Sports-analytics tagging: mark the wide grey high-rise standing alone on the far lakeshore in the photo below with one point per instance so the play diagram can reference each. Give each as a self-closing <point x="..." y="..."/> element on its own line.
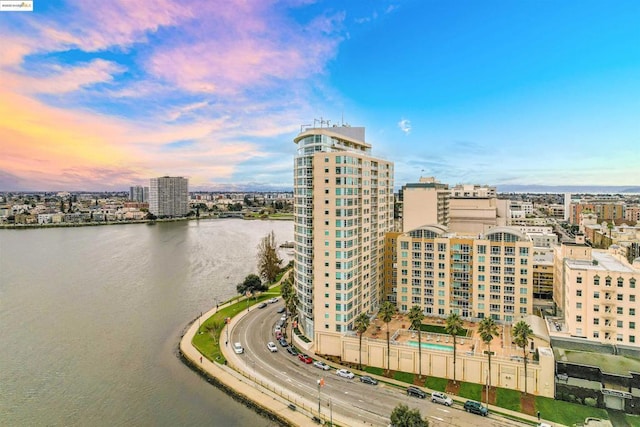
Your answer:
<point x="169" y="196"/>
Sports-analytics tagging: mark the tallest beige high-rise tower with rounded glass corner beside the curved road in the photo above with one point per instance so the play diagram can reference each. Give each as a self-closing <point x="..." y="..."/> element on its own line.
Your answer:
<point x="343" y="206"/>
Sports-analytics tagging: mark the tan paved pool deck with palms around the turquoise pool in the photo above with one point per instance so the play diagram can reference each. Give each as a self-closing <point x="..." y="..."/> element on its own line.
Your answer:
<point x="472" y="344"/>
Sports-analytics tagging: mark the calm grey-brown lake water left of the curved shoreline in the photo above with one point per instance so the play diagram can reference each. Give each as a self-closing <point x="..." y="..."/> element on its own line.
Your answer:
<point x="90" y="318"/>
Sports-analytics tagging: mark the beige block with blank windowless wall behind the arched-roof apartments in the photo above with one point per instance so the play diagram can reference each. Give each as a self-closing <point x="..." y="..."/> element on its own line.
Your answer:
<point x="425" y="202"/>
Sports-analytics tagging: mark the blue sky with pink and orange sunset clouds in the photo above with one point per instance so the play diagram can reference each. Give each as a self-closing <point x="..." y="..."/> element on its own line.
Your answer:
<point x="102" y="95"/>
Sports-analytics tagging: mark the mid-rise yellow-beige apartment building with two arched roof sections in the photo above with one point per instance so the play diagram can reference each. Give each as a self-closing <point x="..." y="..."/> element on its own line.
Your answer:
<point x="475" y="277"/>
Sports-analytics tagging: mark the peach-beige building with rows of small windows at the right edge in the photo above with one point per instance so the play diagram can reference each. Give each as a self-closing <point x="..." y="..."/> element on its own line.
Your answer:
<point x="599" y="294"/>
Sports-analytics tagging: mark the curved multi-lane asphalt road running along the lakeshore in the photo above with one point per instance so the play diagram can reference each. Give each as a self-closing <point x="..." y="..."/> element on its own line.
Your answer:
<point x="370" y="404"/>
